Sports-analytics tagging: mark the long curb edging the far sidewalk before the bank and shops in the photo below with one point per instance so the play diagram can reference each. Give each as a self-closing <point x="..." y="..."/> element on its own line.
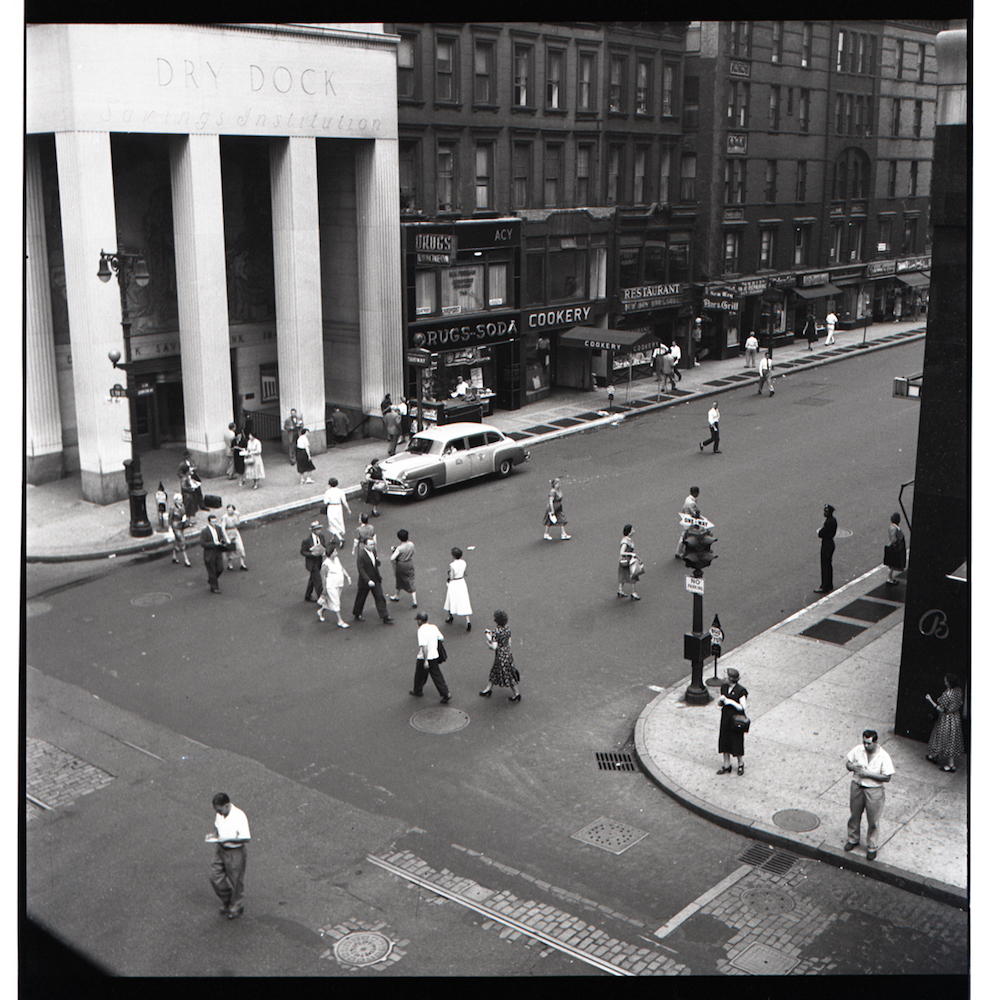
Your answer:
<point x="283" y="510"/>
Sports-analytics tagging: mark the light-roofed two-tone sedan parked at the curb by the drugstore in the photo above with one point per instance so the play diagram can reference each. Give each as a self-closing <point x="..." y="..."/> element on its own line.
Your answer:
<point x="440" y="456"/>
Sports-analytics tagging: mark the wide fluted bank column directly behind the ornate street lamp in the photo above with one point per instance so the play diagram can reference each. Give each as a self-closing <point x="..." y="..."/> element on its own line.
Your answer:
<point x="87" y="210"/>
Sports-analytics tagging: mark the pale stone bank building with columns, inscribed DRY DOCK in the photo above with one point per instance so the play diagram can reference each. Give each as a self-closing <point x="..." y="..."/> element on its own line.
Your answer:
<point x="242" y="183"/>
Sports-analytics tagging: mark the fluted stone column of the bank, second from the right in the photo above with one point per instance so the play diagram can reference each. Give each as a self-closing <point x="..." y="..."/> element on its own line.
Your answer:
<point x="297" y="298"/>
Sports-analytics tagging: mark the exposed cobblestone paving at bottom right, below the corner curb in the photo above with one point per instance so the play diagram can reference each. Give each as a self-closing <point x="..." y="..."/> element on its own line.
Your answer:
<point x="777" y="915"/>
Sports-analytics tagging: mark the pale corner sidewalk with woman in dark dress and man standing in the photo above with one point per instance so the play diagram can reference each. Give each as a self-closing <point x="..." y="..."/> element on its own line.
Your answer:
<point x="815" y="682"/>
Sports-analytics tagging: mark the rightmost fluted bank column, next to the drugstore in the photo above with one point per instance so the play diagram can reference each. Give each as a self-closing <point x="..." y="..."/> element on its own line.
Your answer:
<point x="380" y="293"/>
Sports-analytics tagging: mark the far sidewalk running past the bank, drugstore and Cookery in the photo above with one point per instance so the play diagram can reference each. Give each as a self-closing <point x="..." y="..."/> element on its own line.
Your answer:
<point x="62" y="527"/>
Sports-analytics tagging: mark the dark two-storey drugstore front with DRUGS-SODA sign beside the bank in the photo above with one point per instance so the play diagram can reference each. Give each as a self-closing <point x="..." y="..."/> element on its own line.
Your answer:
<point x="461" y="294"/>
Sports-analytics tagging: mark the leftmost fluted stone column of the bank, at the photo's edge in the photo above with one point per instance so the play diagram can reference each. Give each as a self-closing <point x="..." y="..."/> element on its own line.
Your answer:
<point x="43" y="424"/>
